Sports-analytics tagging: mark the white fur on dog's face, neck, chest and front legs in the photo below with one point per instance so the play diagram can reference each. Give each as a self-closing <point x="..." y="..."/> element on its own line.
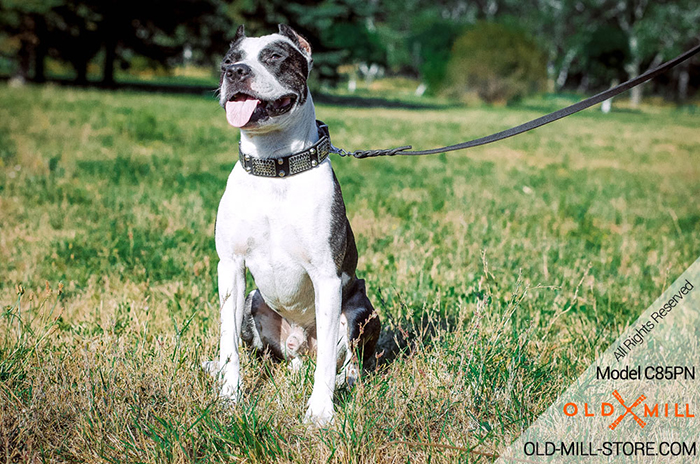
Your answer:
<point x="280" y="229"/>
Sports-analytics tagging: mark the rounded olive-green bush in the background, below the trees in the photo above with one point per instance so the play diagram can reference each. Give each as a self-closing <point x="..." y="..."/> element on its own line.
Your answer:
<point x="498" y="62"/>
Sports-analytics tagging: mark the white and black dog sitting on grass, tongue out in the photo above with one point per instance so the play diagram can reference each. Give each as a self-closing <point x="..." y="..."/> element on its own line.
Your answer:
<point x="283" y="218"/>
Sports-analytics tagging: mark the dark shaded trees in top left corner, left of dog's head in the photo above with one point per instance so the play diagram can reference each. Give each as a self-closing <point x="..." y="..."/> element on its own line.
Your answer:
<point x="76" y="30"/>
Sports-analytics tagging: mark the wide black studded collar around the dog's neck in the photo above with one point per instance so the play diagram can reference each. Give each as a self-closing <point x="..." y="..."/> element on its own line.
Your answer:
<point x="289" y="165"/>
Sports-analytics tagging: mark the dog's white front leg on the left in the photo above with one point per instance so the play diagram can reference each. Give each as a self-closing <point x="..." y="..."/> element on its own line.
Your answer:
<point x="232" y="298"/>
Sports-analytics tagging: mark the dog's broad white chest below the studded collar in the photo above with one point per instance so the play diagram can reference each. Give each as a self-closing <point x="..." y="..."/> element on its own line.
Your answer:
<point x="281" y="229"/>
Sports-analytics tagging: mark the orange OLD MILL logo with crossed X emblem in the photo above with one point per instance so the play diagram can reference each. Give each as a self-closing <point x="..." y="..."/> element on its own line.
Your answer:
<point x="608" y="409"/>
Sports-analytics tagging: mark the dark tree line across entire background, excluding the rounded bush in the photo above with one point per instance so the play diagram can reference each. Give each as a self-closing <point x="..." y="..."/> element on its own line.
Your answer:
<point x="585" y="42"/>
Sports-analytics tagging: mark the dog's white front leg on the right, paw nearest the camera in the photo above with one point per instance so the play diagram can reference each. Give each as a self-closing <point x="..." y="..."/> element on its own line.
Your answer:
<point x="328" y="306"/>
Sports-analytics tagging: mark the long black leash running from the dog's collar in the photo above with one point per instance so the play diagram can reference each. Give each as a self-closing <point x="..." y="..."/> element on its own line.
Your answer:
<point x="535" y="123"/>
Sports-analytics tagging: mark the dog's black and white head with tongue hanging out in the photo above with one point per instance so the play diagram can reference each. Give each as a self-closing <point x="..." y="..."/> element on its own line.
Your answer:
<point x="263" y="79"/>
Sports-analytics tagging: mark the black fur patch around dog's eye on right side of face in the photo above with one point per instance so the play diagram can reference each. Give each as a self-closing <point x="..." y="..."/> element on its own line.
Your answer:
<point x="288" y="66"/>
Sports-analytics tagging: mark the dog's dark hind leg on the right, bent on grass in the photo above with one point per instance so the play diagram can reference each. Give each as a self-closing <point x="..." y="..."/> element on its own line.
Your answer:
<point x="359" y="332"/>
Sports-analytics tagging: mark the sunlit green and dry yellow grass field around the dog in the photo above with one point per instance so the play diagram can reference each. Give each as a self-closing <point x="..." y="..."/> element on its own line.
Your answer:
<point x="499" y="274"/>
